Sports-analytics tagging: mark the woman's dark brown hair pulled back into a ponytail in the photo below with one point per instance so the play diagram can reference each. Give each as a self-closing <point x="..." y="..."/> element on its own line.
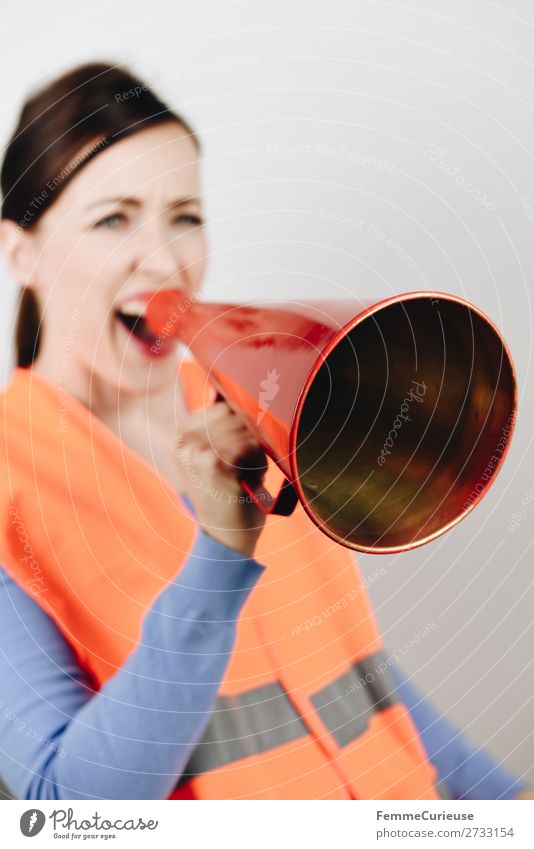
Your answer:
<point x="60" y="128"/>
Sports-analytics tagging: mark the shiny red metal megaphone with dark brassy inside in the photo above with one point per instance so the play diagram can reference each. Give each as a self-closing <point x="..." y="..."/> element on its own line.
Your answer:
<point x="389" y="420"/>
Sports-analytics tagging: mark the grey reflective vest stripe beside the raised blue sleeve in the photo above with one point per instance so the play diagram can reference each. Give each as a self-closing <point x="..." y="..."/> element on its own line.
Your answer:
<point x="245" y="724"/>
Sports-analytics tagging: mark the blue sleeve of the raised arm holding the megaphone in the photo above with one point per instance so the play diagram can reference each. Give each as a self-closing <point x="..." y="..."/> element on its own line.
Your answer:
<point x="131" y="739"/>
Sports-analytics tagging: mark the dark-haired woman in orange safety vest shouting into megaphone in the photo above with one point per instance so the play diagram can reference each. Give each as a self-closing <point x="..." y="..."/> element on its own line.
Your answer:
<point x="160" y="638"/>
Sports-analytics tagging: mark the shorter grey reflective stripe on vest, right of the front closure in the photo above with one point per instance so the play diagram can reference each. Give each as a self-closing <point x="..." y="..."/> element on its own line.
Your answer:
<point x="346" y="704"/>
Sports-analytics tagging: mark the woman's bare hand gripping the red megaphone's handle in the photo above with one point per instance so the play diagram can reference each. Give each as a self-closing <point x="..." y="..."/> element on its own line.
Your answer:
<point x="213" y="448"/>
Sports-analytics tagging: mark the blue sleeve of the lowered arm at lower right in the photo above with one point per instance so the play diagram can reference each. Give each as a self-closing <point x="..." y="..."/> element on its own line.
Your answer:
<point x="467" y="772"/>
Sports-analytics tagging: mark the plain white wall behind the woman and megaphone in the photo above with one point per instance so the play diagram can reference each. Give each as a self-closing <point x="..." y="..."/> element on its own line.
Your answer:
<point x="408" y="121"/>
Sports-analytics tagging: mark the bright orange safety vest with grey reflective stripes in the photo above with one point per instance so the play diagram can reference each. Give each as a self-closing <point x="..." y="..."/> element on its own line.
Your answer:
<point x="306" y="708"/>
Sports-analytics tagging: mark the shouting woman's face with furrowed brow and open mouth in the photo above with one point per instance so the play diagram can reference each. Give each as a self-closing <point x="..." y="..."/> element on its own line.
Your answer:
<point x="127" y="225"/>
